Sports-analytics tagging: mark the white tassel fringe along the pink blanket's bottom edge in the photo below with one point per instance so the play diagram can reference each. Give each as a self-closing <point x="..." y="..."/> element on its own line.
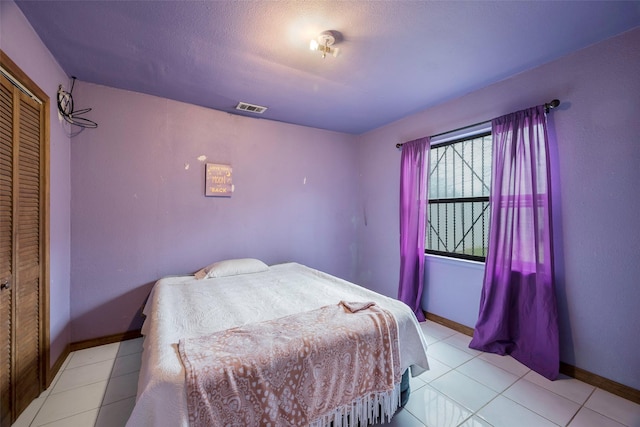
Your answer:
<point x="363" y="411"/>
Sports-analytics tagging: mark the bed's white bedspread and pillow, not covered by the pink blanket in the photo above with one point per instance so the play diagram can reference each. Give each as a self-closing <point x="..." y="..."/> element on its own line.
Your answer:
<point x="242" y="294"/>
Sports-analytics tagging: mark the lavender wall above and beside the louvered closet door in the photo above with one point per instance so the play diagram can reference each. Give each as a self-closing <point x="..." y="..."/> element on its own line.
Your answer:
<point x="20" y="42"/>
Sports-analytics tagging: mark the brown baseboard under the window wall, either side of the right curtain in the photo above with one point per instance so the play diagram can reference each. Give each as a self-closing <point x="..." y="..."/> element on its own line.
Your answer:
<point x="595" y="380"/>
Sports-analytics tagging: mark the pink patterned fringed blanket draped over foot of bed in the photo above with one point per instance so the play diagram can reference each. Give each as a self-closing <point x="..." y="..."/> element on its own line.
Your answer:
<point x="333" y="364"/>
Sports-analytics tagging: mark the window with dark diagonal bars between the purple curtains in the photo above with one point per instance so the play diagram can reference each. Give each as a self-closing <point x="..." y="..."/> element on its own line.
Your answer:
<point x="459" y="186"/>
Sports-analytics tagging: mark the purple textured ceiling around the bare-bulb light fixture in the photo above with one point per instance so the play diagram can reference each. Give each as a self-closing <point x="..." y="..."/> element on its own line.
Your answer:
<point x="396" y="57"/>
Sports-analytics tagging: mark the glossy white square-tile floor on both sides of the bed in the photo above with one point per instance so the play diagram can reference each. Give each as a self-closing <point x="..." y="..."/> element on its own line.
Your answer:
<point x="464" y="387"/>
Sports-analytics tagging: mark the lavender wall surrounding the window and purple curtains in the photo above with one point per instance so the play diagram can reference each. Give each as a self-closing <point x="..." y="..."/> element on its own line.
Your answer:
<point x="597" y="202"/>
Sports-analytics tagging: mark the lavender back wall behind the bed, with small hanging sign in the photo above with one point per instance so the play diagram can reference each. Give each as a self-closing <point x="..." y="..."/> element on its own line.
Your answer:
<point x="139" y="210"/>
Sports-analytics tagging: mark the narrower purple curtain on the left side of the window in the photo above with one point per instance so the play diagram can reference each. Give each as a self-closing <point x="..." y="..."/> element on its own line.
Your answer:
<point x="414" y="173"/>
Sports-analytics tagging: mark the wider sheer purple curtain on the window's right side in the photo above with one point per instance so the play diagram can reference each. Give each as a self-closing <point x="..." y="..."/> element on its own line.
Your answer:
<point x="518" y="311"/>
